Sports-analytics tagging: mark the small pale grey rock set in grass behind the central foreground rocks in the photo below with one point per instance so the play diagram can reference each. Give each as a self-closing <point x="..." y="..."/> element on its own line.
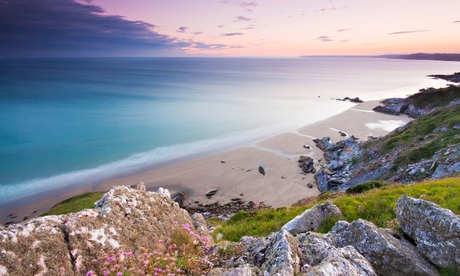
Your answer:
<point x="311" y="219"/>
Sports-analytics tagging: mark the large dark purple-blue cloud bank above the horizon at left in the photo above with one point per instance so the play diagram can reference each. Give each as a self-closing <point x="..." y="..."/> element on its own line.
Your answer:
<point x="69" y="28"/>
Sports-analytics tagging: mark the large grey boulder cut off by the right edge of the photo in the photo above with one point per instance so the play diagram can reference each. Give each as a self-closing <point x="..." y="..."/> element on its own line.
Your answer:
<point x="436" y="231"/>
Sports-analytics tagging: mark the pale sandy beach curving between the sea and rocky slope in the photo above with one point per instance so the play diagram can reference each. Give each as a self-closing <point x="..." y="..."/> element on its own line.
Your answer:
<point x="235" y="173"/>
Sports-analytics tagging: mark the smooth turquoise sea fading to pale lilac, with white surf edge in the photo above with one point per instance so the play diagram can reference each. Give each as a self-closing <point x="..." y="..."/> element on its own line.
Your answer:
<point x="71" y="122"/>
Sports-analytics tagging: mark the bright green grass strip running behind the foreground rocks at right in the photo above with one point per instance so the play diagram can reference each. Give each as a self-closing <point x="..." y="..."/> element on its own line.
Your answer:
<point x="375" y="205"/>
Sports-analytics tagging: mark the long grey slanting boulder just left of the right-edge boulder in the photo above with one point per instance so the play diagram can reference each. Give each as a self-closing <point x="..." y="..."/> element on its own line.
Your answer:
<point x="387" y="254"/>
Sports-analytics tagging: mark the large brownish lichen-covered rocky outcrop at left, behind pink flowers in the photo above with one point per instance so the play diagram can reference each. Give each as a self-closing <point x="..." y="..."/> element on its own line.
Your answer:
<point x="65" y="245"/>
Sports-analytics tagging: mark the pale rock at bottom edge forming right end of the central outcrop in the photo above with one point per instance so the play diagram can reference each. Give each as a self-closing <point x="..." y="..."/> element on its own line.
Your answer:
<point x="320" y="257"/>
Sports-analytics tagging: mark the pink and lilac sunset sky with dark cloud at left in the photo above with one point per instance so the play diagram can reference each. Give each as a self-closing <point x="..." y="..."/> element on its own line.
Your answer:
<point x="268" y="28"/>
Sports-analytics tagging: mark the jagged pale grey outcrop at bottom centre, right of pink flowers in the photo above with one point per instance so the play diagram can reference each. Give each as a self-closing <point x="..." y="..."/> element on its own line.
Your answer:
<point x="304" y="254"/>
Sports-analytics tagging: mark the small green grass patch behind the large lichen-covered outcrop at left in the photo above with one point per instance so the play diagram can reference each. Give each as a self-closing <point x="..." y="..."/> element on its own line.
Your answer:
<point x="75" y="204"/>
